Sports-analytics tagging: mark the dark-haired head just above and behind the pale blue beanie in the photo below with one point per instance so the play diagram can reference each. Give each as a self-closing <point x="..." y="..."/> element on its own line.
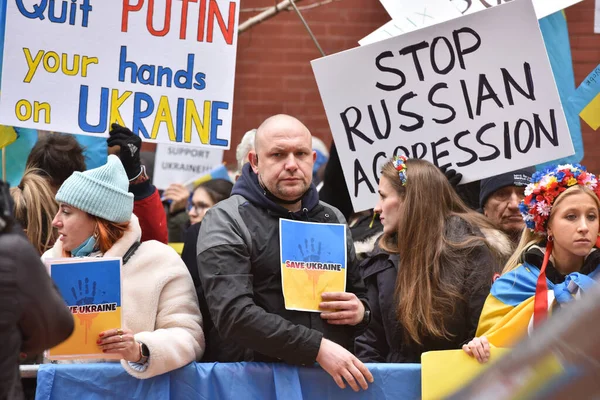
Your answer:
<point x="58" y="156"/>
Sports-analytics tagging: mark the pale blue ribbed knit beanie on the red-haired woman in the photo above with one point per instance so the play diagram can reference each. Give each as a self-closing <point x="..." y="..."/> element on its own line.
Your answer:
<point x="102" y="192"/>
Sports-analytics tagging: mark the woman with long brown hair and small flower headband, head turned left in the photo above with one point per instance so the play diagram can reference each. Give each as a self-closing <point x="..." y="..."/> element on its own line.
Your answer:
<point x="432" y="272"/>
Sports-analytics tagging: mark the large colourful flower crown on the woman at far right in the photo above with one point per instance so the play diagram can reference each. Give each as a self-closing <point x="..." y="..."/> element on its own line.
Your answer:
<point x="546" y="186"/>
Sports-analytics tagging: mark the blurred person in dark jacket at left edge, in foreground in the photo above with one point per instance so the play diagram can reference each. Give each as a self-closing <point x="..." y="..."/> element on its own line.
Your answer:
<point x="33" y="314"/>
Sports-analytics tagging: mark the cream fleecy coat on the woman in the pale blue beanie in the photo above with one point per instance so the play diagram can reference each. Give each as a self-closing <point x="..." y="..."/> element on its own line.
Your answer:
<point x="159" y="303"/>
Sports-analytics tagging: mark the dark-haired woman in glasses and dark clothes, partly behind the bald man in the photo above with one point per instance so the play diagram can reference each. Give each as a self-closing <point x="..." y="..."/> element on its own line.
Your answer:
<point x="206" y="195"/>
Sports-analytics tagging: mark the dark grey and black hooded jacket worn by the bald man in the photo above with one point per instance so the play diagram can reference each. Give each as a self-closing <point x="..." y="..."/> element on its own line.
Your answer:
<point x="240" y="271"/>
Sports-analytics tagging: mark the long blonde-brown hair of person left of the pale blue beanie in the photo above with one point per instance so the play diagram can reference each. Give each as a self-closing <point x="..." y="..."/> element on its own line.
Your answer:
<point x="34" y="209"/>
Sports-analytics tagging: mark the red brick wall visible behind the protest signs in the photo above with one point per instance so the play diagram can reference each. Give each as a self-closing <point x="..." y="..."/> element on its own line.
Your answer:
<point x="273" y="63"/>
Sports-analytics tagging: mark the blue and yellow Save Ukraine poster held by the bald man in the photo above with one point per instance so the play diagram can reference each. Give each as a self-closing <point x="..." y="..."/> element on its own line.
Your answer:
<point x="313" y="261"/>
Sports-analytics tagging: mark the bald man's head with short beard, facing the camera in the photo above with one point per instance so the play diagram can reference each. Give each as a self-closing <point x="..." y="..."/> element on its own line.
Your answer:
<point x="283" y="157"/>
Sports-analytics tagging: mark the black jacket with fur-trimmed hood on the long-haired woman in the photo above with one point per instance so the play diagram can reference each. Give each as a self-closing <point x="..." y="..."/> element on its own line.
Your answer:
<point x="383" y="340"/>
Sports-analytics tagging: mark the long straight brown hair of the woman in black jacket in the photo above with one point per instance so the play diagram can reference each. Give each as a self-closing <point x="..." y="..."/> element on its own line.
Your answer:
<point x="432" y="265"/>
